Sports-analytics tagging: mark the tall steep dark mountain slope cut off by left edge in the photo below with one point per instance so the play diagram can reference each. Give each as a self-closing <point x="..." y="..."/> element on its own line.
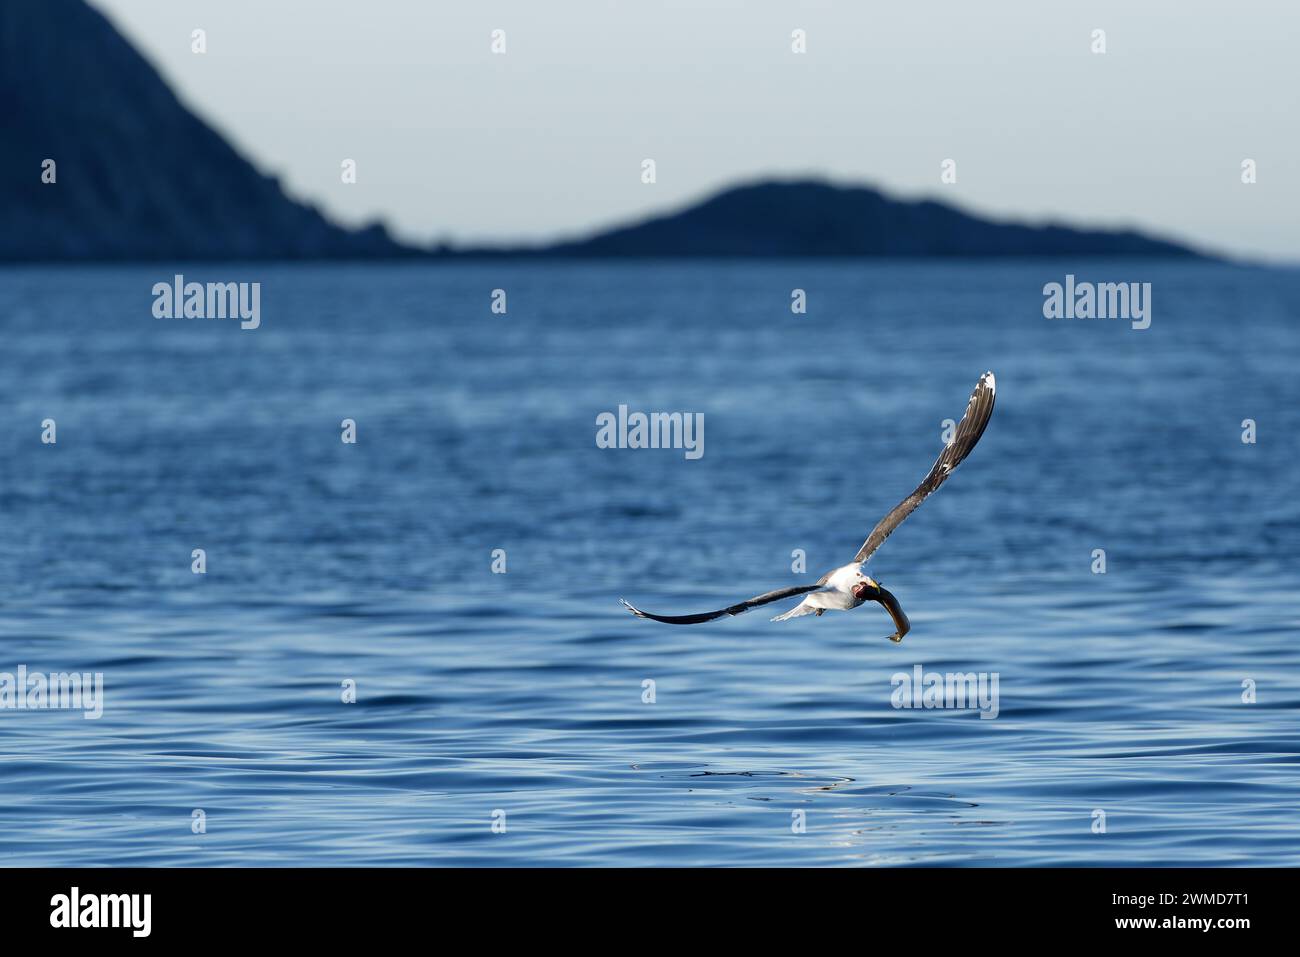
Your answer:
<point x="138" y="176"/>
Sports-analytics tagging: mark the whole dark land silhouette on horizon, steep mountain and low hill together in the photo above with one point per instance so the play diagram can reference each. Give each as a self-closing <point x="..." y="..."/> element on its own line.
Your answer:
<point x="138" y="177"/>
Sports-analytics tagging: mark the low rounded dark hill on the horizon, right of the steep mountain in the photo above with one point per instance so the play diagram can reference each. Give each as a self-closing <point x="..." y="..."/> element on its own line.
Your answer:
<point x="818" y="219"/>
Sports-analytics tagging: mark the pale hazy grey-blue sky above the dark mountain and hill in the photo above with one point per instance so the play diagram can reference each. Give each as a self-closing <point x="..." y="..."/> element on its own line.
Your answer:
<point x="548" y="140"/>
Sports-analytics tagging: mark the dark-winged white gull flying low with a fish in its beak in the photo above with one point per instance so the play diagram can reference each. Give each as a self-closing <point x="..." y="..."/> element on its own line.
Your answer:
<point x="846" y="588"/>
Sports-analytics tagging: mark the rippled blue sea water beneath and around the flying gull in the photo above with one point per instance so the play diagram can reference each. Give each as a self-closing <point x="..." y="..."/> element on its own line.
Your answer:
<point x="522" y="694"/>
